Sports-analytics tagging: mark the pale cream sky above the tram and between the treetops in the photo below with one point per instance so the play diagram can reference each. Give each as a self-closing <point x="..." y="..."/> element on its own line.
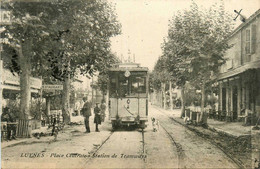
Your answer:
<point x="145" y="24"/>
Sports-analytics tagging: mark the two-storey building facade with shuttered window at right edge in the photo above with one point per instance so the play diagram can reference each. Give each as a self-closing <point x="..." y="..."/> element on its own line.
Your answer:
<point x="239" y="78"/>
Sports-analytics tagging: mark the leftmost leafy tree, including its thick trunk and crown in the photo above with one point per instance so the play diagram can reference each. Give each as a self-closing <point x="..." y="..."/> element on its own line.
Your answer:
<point x="24" y="35"/>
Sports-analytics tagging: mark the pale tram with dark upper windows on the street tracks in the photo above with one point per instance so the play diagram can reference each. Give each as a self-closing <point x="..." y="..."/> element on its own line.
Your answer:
<point x="128" y="95"/>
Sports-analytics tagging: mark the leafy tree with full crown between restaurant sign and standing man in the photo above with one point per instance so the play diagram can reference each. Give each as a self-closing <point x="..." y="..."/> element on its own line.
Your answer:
<point x="85" y="41"/>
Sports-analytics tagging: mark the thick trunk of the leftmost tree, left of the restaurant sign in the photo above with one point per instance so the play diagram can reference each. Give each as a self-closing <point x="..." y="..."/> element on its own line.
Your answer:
<point x="25" y="86"/>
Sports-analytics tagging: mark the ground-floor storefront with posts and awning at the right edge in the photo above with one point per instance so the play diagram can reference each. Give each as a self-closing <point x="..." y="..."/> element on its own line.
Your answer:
<point x="239" y="91"/>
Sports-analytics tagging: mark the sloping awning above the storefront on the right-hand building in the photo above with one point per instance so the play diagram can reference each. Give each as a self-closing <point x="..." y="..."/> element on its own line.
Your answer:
<point x="238" y="70"/>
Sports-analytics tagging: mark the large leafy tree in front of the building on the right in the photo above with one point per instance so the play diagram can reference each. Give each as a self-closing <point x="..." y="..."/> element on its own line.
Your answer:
<point x="196" y="44"/>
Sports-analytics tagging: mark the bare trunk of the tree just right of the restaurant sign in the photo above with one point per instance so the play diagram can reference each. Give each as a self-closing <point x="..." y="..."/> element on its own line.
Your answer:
<point x="66" y="100"/>
